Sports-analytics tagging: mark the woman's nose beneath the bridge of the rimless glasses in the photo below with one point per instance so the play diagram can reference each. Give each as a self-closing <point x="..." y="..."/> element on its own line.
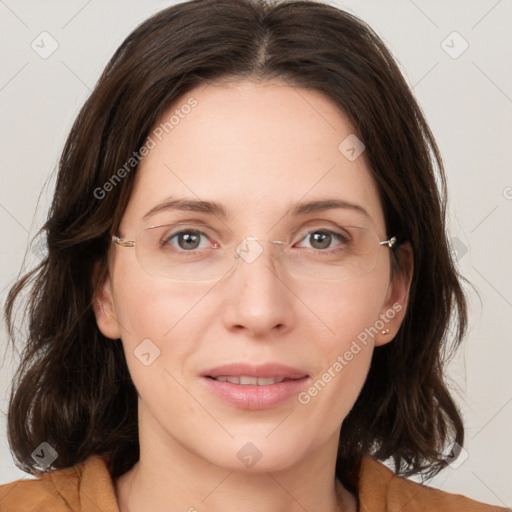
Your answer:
<point x="259" y="300"/>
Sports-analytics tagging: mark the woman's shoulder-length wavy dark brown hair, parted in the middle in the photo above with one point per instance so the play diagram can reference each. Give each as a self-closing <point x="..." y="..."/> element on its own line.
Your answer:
<point x="73" y="389"/>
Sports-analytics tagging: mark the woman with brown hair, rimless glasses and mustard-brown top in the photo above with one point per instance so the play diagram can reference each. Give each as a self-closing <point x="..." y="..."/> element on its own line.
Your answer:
<point x="248" y="285"/>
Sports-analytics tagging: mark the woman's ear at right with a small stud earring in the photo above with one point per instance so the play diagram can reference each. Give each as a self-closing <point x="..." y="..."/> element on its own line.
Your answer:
<point x="397" y="297"/>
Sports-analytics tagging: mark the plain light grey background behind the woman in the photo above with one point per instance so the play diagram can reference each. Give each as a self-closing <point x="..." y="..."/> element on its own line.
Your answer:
<point x="467" y="101"/>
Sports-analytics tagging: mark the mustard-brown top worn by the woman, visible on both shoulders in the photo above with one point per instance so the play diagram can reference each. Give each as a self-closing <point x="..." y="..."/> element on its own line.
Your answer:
<point x="88" y="487"/>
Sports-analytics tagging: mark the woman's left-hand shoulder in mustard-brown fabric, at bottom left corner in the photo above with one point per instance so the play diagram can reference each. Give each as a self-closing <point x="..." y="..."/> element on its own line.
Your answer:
<point x="64" y="490"/>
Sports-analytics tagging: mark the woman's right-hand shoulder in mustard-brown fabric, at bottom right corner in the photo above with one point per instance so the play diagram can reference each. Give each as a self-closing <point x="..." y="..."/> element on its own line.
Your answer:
<point x="380" y="489"/>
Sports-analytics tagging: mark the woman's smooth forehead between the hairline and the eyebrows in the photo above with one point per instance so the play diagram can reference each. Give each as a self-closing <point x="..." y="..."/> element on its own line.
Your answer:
<point x="255" y="148"/>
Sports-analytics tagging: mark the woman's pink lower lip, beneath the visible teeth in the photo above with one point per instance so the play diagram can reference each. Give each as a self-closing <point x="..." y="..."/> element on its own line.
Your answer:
<point x="251" y="397"/>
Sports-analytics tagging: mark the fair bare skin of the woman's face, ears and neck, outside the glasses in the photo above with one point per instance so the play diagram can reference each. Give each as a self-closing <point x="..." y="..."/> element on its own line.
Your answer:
<point x="256" y="148"/>
